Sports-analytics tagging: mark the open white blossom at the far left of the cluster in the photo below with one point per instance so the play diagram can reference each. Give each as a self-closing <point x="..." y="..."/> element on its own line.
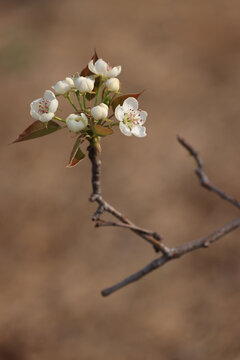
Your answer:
<point x="44" y="109"/>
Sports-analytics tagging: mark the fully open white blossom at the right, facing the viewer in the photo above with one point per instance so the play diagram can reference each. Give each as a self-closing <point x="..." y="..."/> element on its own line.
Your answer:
<point x="131" y="118"/>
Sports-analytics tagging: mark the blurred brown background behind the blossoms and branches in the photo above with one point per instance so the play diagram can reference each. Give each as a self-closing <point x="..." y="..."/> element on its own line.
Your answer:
<point x="53" y="263"/>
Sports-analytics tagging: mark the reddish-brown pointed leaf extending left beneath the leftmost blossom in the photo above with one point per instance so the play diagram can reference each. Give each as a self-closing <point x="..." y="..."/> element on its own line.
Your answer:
<point x="37" y="129"/>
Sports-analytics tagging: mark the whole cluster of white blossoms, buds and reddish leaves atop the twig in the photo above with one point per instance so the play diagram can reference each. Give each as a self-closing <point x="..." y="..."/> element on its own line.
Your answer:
<point x="92" y="93"/>
